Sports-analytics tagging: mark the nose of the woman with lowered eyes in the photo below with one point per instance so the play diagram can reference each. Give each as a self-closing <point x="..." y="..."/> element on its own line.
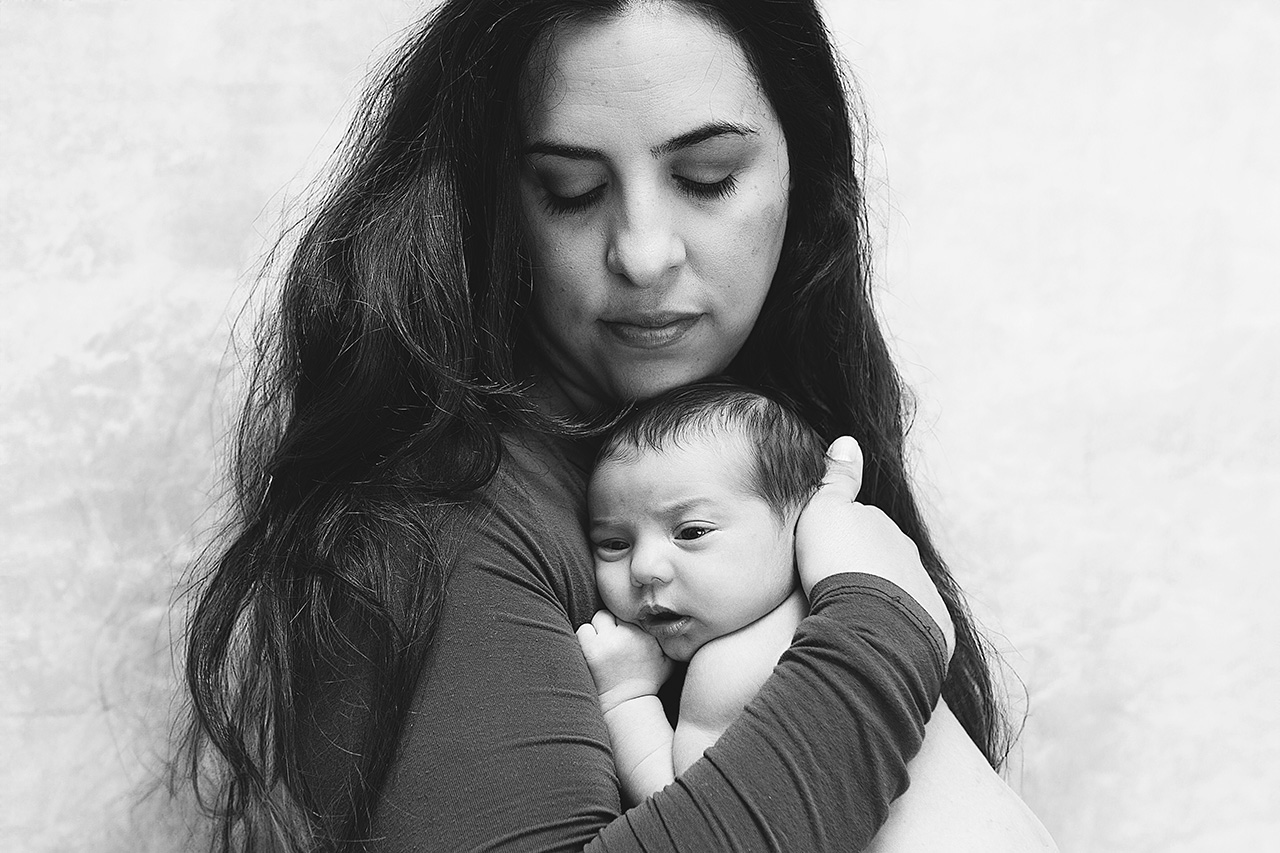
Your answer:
<point x="644" y="245"/>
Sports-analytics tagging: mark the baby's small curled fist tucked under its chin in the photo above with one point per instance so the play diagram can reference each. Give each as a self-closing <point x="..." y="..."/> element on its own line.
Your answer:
<point x="625" y="662"/>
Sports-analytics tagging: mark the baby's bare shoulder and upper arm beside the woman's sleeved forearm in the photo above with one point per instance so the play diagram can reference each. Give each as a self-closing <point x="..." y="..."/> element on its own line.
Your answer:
<point x="728" y="673"/>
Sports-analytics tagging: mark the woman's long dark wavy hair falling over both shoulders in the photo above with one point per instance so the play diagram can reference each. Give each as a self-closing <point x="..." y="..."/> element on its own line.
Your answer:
<point x="388" y="372"/>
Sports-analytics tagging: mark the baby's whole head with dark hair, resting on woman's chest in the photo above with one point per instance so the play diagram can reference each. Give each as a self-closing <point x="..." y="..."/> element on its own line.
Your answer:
<point x="693" y="509"/>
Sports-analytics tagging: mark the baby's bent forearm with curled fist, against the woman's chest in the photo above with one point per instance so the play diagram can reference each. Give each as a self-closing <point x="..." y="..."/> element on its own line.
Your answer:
<point x="628" y="668"/>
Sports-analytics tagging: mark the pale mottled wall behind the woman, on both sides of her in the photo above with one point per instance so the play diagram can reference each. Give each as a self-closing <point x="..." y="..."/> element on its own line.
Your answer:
<point x="1076" y="209"/>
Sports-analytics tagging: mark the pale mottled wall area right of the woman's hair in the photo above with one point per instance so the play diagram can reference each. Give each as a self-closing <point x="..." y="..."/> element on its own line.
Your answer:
<point x="1082" y="277"/>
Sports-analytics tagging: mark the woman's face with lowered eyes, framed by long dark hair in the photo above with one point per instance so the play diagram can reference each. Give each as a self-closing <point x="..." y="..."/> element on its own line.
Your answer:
<point x="655" y="194"/>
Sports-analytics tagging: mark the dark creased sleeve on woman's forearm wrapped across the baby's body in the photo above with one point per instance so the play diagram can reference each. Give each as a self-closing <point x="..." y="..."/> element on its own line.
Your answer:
<point x="819" y="756"/>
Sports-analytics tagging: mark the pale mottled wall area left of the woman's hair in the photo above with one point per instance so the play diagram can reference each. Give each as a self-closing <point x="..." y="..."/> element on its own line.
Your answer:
<point x="147" y="150"/>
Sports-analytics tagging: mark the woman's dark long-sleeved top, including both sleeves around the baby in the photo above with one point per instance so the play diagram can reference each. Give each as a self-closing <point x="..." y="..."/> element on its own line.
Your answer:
<point x="506" y="749"/>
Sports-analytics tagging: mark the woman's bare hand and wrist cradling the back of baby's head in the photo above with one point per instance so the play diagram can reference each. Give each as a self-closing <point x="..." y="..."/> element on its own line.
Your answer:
<point x="836" y="533"/>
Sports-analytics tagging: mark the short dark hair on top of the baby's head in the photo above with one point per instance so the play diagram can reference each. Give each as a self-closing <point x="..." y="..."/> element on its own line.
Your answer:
<point x="790" y="457"/>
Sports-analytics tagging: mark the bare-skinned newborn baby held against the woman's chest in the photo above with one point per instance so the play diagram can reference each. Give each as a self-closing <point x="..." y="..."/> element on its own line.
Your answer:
<point x="693" y="508"/>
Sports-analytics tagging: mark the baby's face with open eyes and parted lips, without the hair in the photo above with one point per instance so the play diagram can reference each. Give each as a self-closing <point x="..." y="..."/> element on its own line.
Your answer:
<point x="683" y="548"/>
